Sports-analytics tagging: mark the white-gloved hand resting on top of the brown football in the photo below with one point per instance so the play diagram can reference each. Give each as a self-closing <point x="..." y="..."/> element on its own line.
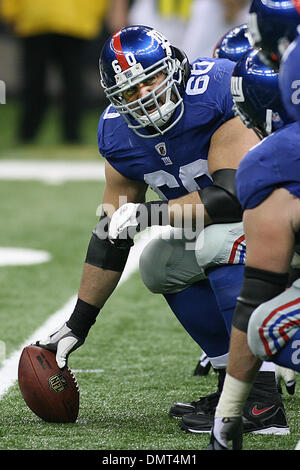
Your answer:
<point x="63" y="342"/>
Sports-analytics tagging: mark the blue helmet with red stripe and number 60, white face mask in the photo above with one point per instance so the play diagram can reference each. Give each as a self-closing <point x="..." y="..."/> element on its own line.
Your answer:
<point x="131" y="56"/>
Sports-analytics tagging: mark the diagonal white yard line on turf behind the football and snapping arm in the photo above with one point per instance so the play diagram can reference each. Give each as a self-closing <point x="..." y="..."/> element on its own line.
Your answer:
<point x="9" y="369"/>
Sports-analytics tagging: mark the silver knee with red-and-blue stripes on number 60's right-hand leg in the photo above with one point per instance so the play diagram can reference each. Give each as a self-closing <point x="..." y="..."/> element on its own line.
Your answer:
<point x="221" y="244"/>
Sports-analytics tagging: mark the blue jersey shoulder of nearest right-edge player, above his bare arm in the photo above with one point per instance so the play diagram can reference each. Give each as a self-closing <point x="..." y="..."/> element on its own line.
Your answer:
<point x="274" y="162"/>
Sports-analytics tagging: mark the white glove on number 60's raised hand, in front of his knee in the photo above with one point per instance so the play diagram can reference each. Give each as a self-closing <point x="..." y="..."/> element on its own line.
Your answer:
<point x="122" y="221"/>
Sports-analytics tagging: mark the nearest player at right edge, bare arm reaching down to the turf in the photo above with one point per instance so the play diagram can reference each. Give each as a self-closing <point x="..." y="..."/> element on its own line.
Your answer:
<point x="268" y="185"/>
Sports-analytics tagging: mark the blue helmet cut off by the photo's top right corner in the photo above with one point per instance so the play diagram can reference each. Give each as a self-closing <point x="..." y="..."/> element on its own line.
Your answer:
<point x="272" y="26"/>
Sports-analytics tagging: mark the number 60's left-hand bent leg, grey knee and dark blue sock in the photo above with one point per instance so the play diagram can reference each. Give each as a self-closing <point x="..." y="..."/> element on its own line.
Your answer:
<point x="167" y="268"/>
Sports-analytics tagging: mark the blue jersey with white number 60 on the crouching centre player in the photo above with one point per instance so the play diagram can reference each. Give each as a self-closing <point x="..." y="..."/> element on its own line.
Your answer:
<point x="176" y="163"/>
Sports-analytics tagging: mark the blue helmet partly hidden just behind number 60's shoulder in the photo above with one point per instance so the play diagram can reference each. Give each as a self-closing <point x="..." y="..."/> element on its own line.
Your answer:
<point x="234" y="44"/>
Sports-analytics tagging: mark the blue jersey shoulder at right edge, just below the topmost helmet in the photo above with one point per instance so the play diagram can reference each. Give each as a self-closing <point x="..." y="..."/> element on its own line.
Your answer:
<point x="289" y="79"/>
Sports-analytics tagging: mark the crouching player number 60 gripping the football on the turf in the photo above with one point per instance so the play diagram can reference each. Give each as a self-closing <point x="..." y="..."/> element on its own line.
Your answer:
<point x="170" y="126"/>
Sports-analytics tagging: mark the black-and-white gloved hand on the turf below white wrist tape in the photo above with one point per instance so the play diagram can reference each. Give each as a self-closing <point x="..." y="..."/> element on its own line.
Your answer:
<point x="225" y="430"/>
